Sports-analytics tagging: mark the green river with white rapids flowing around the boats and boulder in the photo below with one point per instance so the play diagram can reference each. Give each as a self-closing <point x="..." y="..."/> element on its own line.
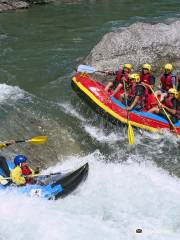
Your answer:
<point x="128" y="187"/>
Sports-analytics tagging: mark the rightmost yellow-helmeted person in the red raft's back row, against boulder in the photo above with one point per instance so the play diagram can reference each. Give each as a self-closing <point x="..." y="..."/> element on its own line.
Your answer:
<point x="167" y="81"/>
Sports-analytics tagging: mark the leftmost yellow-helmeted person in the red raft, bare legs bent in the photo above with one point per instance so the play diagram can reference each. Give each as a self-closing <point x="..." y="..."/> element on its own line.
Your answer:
<point x="121" y="75"/>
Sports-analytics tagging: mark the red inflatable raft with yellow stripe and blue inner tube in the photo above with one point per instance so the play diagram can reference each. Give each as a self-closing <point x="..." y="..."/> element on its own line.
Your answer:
<point x="109" y="107"/>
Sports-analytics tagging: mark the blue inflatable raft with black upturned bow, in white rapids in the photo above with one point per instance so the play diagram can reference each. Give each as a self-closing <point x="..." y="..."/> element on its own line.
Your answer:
<point x="52" y="186"/>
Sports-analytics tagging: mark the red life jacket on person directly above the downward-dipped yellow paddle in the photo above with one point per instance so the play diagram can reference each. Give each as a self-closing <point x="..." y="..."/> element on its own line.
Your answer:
<point x="143" y="100"/>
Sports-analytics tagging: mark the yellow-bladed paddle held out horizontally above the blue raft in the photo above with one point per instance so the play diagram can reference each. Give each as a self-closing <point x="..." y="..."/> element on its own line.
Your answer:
<point x="34" y="140"/>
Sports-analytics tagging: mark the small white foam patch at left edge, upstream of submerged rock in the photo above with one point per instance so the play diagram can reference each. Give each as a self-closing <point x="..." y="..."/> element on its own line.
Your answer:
<point x="10" y="93"/>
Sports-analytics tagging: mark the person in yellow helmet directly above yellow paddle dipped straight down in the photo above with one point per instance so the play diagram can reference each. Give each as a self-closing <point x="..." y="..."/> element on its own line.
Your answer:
<point x="137" y="98"/>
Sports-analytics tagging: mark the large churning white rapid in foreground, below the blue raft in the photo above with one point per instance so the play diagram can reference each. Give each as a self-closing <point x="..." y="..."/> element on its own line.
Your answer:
<point x="112" y="203"/>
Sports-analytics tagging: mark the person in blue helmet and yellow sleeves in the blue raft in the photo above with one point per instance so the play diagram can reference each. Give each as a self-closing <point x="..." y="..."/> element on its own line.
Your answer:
<point x="21" y="174"/>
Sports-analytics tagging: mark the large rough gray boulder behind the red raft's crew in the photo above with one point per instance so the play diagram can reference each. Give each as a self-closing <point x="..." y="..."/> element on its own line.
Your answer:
<point x="140" y="43"/>
